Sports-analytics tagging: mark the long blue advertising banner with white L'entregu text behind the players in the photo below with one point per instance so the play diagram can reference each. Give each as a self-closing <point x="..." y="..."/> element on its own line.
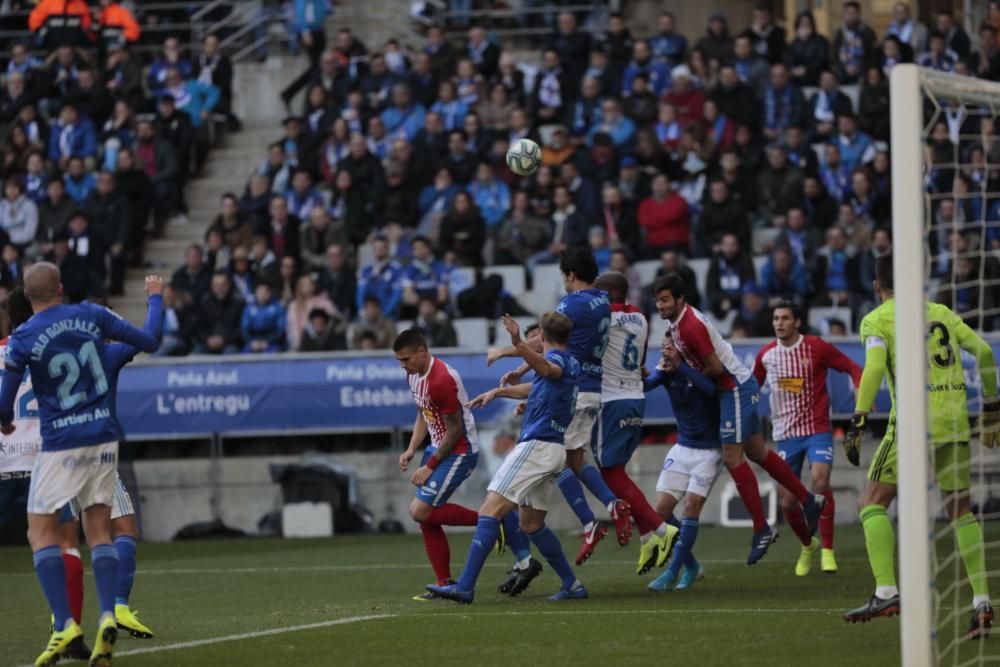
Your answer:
<point x="343" y="392"/>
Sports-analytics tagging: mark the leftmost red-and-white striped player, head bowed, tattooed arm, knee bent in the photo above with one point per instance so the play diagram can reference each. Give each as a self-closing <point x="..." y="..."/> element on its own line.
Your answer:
<point x="451" y="456"/>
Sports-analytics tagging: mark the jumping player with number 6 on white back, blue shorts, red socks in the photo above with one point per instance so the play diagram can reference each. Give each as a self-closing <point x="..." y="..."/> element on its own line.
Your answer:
<point x="619" y="427"/>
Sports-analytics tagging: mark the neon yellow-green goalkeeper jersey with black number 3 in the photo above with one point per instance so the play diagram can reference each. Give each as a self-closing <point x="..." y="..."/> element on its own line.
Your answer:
<point x="947" y="335"/>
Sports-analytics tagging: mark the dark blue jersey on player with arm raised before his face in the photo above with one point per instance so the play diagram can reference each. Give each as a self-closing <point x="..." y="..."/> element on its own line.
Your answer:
<point x="696" y="407"/>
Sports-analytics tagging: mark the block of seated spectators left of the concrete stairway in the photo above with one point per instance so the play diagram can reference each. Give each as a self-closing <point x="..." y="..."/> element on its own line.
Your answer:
<point x="95" y="154"/>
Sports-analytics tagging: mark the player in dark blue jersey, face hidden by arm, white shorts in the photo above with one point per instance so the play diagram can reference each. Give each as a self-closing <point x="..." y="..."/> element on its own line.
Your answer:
<point x="692" y="465"/>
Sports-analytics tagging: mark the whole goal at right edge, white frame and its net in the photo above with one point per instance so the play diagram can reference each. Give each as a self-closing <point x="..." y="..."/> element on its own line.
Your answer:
<point x="945" y="173"/>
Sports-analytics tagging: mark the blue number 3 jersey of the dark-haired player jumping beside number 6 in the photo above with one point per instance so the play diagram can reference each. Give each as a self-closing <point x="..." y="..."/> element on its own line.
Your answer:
<point x="590" y="312"/>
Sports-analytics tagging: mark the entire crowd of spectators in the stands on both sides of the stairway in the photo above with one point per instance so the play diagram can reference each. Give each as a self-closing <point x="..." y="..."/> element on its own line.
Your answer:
<point x="387" y="180"/>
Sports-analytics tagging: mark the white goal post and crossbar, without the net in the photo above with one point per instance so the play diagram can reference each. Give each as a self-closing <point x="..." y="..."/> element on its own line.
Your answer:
<point x="907" y="86"/>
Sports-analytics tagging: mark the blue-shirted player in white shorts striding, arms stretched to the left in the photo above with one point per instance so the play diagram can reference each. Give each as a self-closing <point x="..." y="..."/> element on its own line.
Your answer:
<point x="525" y="479"/>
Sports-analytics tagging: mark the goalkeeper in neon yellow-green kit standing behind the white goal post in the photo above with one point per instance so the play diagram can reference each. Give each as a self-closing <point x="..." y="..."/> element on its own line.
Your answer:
<point x="949" y="436"/>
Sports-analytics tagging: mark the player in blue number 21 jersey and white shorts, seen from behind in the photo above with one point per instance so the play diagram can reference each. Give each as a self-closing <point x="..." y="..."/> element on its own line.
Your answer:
<point x="63" y="347"/>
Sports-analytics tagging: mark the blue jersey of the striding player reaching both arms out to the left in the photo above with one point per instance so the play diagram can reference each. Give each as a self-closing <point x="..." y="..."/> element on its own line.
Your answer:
<point x="551" y="403"/>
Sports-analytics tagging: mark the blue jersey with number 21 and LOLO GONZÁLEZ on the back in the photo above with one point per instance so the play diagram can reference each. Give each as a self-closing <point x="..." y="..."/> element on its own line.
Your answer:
<point x="64" y="348"/>
